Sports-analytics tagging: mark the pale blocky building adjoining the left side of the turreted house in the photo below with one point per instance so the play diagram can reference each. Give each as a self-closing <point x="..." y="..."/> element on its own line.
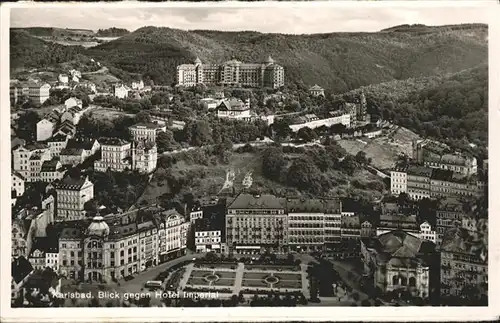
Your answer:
<point x="115" y="155"/>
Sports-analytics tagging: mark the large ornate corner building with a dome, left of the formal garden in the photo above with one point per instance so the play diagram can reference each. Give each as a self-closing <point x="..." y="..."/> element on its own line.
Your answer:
<point x="117" y="245"/>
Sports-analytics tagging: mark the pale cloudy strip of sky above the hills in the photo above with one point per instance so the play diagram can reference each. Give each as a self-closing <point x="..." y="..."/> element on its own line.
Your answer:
<point x="289" y="20"/>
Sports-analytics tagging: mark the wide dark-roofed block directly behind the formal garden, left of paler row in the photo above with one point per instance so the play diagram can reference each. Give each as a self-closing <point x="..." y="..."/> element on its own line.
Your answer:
<point x="255" y="223"/>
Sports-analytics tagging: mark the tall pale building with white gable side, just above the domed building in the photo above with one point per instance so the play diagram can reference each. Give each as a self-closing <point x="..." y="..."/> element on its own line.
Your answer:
<point x="71" y="195"/>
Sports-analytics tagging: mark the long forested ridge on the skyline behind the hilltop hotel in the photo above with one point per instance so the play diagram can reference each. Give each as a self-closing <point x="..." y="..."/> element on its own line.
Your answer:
<point x="339" y="62"/>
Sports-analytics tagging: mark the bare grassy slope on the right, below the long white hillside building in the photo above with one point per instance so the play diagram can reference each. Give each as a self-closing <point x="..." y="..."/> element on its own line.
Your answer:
<point x="383" y="150"/>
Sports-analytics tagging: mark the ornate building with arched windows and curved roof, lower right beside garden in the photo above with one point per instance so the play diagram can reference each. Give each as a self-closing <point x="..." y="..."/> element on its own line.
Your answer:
<point x="398" y="261"/>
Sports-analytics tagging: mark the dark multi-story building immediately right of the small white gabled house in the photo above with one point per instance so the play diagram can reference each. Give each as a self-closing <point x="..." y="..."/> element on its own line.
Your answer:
<point x="449" y="214"/>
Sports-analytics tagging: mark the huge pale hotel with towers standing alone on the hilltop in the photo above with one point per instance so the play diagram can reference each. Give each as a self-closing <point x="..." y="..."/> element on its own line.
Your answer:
<point x="232" y="73"/>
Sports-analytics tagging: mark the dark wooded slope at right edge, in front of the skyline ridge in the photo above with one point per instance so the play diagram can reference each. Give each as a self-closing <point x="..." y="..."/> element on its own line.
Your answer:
<point x="450" y="108"/>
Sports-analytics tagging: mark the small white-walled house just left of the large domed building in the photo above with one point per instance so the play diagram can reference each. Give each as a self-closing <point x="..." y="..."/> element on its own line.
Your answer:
<point x="45" y="253"/>
